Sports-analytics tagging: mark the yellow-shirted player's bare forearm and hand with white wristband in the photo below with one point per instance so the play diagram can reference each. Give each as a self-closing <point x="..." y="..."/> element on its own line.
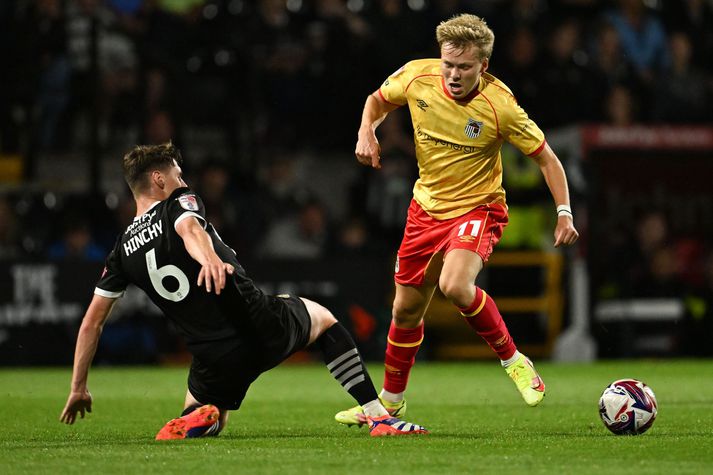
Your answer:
<point x="553" y="171"/>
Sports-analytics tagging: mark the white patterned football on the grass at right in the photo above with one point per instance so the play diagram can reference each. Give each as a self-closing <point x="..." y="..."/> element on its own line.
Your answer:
<point x="628" y="407"/>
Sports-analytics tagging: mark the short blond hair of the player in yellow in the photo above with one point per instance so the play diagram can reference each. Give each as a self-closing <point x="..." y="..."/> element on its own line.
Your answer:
<point x="465" y="30"/>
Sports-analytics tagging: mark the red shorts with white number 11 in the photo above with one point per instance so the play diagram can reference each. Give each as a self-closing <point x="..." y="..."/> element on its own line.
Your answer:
<point x="479" y="230"/>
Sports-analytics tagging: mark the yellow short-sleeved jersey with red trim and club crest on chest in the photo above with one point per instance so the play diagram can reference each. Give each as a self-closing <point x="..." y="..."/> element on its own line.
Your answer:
<point x="458" y="141"/>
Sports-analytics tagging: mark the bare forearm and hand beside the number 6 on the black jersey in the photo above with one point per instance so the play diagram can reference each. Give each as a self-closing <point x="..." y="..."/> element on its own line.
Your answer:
<point x="200" y="247"/>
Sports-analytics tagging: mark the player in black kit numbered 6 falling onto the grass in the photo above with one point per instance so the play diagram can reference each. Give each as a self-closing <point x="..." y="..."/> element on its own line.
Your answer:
<point x="234" y="331"/>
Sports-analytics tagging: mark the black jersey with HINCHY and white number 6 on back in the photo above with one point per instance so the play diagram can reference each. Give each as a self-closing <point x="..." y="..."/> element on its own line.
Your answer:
<point x="151" y="255"/>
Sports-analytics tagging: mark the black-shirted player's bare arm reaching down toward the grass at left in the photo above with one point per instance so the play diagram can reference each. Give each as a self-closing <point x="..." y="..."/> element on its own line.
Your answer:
<point x="80" y="400"/>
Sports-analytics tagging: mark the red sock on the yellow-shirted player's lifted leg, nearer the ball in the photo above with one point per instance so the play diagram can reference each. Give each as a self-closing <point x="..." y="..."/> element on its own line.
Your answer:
<point x="484" y="317"/>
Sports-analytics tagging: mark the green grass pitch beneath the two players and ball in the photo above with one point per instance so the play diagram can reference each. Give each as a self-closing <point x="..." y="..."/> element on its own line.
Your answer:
<point x="478" y="423"/>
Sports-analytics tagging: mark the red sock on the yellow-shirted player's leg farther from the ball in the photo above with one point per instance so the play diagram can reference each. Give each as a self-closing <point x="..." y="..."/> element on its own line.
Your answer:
<point x="401" y="348"/>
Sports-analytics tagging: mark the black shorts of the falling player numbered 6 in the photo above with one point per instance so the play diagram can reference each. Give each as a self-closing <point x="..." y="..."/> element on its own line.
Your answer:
<point x="285" y="327"/>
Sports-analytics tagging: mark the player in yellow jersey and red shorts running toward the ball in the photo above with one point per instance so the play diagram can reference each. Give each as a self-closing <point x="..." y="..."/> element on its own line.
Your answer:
<point x="461" y="115"/>
